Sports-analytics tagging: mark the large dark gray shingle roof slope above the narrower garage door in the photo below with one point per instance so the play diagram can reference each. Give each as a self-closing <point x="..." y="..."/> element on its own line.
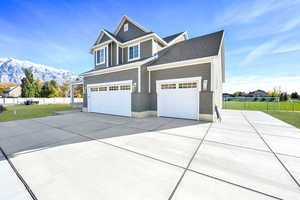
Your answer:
<point x="198" y="47"/>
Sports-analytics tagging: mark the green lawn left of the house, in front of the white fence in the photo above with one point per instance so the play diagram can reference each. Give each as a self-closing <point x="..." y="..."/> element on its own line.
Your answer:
<point x="32" y="111"/>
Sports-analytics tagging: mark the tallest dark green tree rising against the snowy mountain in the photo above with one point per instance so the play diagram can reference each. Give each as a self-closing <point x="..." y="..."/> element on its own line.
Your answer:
<point x="27" y="84"/>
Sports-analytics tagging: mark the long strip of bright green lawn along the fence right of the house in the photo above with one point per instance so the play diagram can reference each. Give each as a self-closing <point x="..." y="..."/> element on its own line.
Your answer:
<point x="257" y="105"/>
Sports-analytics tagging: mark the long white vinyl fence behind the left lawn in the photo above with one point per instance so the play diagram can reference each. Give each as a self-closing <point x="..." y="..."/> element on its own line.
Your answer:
<point x="58" y="100"/>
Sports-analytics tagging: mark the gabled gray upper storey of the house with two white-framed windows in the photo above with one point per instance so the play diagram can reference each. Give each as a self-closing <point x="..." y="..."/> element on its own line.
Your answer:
<point x="129" y="43"/>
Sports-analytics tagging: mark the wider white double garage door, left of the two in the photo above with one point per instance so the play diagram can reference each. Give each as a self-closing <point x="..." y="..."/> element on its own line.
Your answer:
<point x="112" y="98"/>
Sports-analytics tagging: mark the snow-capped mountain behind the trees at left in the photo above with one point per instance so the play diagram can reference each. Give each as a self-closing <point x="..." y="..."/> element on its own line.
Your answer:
<point x="13" y="70"/>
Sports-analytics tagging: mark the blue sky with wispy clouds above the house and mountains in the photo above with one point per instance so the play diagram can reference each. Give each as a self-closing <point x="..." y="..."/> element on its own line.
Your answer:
<point x="262" y="37"/>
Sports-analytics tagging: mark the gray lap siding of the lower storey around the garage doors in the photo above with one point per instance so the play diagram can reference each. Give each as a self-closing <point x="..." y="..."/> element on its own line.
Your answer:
<point x="145" y="101"/>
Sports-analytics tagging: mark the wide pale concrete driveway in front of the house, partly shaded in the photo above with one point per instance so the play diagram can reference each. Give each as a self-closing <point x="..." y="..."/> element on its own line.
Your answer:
<point x="249" y="155"/>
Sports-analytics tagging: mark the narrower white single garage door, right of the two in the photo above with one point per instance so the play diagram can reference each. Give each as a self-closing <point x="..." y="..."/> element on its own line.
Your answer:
<point x="178" y="98"/>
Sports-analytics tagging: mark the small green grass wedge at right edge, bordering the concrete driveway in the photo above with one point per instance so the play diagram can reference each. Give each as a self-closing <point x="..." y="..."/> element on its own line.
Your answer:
<point x="292" y="118"/>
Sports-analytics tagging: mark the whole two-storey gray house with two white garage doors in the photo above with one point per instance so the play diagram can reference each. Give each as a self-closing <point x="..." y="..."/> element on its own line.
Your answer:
<point x="137" y="73"/>
